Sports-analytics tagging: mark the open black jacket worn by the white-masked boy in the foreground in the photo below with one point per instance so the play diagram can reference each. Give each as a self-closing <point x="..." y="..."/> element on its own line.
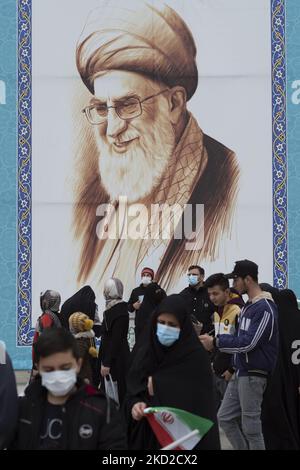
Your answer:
<point x="86" y="408"/>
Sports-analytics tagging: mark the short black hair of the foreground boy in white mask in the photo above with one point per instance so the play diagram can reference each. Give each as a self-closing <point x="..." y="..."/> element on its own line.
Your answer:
<point x="55" y="340"/>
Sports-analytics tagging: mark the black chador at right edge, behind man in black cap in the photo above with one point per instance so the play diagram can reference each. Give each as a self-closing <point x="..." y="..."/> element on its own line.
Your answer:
<point x="281" y="405"/>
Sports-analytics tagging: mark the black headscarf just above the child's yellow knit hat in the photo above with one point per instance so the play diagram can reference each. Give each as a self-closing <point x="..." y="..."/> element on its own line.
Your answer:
<point x="83" y="301"/>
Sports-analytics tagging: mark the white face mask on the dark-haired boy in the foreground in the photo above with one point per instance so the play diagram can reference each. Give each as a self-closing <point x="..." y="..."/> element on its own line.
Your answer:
<point x="59" y="382"/>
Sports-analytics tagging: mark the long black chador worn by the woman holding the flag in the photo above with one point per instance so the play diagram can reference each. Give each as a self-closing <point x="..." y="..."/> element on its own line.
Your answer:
<point x="181" y="373"/>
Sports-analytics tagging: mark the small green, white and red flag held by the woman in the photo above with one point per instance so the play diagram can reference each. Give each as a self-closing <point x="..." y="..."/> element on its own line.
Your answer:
<point x="177" y="429"/>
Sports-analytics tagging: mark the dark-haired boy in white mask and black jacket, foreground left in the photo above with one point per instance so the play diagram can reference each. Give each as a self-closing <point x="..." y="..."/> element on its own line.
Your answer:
<point x="59" y="411"/>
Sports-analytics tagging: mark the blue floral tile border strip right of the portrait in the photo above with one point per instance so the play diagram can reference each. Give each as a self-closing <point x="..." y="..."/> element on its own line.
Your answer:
<point x="280" y="269"/>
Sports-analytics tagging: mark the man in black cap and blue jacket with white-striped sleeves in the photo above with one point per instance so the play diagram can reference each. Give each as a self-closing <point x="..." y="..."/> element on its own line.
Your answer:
<point x="255" y="352"/>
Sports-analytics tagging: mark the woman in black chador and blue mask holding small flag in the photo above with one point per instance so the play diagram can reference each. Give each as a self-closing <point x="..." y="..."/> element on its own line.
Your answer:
<point x="170" y="369"/>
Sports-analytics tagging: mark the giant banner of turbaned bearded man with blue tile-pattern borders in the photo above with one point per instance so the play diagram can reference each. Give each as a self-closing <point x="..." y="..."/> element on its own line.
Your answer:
<point x="144" y="134"/>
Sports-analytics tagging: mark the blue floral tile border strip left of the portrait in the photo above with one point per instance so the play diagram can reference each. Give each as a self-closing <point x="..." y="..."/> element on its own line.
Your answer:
<point x="24" y="330"/>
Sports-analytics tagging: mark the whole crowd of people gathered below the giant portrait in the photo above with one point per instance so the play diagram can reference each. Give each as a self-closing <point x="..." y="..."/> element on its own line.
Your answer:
<point x="206" y="350"/>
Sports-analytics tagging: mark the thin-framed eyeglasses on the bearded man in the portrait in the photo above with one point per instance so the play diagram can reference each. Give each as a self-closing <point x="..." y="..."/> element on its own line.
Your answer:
<point x="128" y="109"/>
